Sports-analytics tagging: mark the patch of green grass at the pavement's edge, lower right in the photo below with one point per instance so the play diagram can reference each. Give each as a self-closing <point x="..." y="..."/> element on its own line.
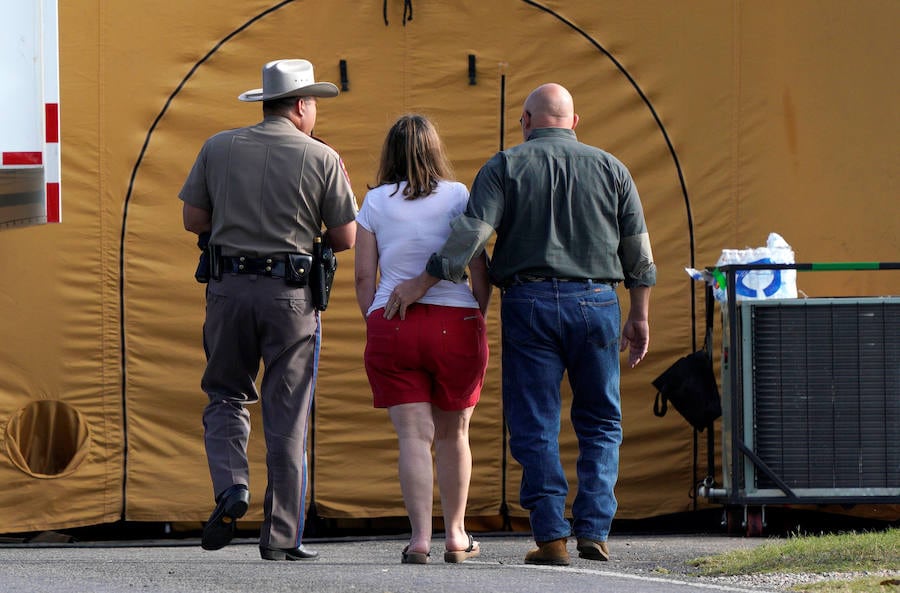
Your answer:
<point x="845" y="552"/>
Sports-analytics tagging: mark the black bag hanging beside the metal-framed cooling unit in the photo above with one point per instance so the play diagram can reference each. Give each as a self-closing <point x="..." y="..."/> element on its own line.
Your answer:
<point x="690" y="384"/>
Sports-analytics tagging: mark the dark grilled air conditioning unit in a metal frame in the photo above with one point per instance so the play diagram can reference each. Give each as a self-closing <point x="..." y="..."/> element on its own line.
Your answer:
<point x="812" y="413"/>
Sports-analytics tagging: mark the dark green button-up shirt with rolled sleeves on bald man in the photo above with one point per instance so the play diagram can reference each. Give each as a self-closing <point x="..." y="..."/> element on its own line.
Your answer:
<point x="560" y="208"/>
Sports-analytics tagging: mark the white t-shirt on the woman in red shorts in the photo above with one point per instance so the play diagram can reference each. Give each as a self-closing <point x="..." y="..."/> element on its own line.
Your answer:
<point x="408" y="232"/>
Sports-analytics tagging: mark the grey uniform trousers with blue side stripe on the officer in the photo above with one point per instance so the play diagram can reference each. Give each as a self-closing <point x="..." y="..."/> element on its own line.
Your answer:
<point x="249" y="318"/>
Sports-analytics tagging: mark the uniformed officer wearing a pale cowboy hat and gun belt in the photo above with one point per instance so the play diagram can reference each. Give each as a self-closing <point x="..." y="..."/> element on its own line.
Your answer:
<point x="263" y="193"/>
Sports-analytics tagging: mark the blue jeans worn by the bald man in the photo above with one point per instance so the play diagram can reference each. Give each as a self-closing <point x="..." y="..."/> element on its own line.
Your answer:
<point x="548" y="328"/>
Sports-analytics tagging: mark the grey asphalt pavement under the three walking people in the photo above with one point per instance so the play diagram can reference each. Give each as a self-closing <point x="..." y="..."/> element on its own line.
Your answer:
<point x="639" y="564"/>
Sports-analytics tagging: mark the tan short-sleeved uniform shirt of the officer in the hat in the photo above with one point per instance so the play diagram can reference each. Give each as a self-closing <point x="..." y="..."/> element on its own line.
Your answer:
<point x="270" y="187"/>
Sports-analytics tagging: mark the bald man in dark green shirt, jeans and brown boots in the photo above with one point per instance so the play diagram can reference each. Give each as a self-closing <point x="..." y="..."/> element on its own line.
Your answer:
<point x="570" y="227"/>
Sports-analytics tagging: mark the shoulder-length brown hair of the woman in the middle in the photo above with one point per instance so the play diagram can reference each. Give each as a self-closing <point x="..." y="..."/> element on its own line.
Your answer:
<point x="413" y="152"/>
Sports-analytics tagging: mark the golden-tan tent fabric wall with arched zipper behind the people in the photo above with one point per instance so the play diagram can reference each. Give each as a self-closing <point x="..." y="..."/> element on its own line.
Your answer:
<point x="736" y="119"/>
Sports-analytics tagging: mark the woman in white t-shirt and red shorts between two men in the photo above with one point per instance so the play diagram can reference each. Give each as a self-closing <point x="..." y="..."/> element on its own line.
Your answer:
<point x="428" y="368"/>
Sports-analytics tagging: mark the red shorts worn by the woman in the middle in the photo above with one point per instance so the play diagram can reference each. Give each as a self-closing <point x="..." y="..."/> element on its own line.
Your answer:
<point x="437" y="354"/>
